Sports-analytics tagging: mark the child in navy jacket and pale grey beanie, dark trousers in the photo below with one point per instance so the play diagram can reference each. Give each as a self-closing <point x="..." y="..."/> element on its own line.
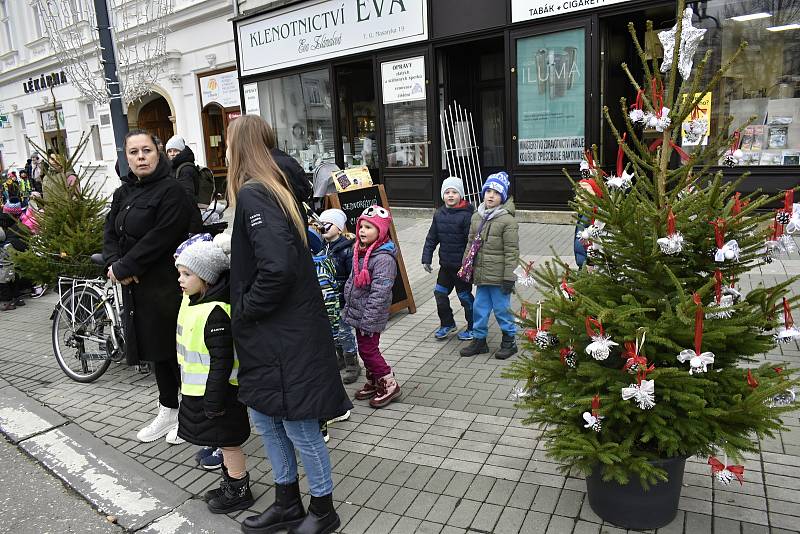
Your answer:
<point x="449" y="231"/>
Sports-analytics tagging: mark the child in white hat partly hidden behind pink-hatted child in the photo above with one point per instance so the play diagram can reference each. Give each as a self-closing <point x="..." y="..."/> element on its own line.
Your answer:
<point x="340" y="248"/>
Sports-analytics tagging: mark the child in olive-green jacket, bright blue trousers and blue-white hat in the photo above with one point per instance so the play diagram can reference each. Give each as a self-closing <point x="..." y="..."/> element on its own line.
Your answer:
<point x="489" y="262"/>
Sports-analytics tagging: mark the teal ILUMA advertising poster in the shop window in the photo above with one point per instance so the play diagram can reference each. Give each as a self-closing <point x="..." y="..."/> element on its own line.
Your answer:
<point x="551" y="95"/>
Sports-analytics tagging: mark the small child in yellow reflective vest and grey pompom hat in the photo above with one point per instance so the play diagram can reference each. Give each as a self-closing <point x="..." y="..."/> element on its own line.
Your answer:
<point x="210" y="413"/>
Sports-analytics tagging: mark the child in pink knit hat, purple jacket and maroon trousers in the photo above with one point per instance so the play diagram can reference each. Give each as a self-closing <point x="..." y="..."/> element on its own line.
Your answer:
<point x="368" y="296"/>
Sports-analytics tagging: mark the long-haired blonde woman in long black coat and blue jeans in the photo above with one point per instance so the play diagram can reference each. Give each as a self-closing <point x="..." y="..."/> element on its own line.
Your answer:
<point x="288" y="375"/>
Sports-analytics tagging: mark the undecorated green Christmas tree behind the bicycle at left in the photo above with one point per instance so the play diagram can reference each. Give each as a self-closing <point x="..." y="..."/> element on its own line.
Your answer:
<point x="70" y="224"/>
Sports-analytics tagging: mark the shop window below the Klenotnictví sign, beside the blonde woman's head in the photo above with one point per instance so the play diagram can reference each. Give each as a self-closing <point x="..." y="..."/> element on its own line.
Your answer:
<point x="299" y="109"/>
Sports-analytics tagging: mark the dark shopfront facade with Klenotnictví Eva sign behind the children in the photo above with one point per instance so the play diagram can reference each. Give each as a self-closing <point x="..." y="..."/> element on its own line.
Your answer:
<point x="364" y="82"/>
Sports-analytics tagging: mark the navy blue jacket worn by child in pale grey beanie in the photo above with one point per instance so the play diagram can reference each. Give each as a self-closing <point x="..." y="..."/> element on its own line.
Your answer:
<point x="449" y="230"/>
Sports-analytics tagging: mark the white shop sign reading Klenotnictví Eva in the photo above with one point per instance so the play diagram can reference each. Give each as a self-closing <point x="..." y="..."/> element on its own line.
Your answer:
<point x="327" y="29"/>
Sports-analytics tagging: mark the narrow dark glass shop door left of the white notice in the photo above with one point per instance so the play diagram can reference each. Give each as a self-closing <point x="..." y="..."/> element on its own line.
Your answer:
<point x="358" y="116"/>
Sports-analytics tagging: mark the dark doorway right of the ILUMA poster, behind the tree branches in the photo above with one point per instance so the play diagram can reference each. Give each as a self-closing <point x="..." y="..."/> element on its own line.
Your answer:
<point x="617" y="49"/>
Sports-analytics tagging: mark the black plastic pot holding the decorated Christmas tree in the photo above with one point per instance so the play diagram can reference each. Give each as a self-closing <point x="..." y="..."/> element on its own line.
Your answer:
<point x="630" y="506"/>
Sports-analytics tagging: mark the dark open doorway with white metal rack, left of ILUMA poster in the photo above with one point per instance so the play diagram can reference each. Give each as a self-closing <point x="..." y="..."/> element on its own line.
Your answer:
<point x="473" y="74"/>
